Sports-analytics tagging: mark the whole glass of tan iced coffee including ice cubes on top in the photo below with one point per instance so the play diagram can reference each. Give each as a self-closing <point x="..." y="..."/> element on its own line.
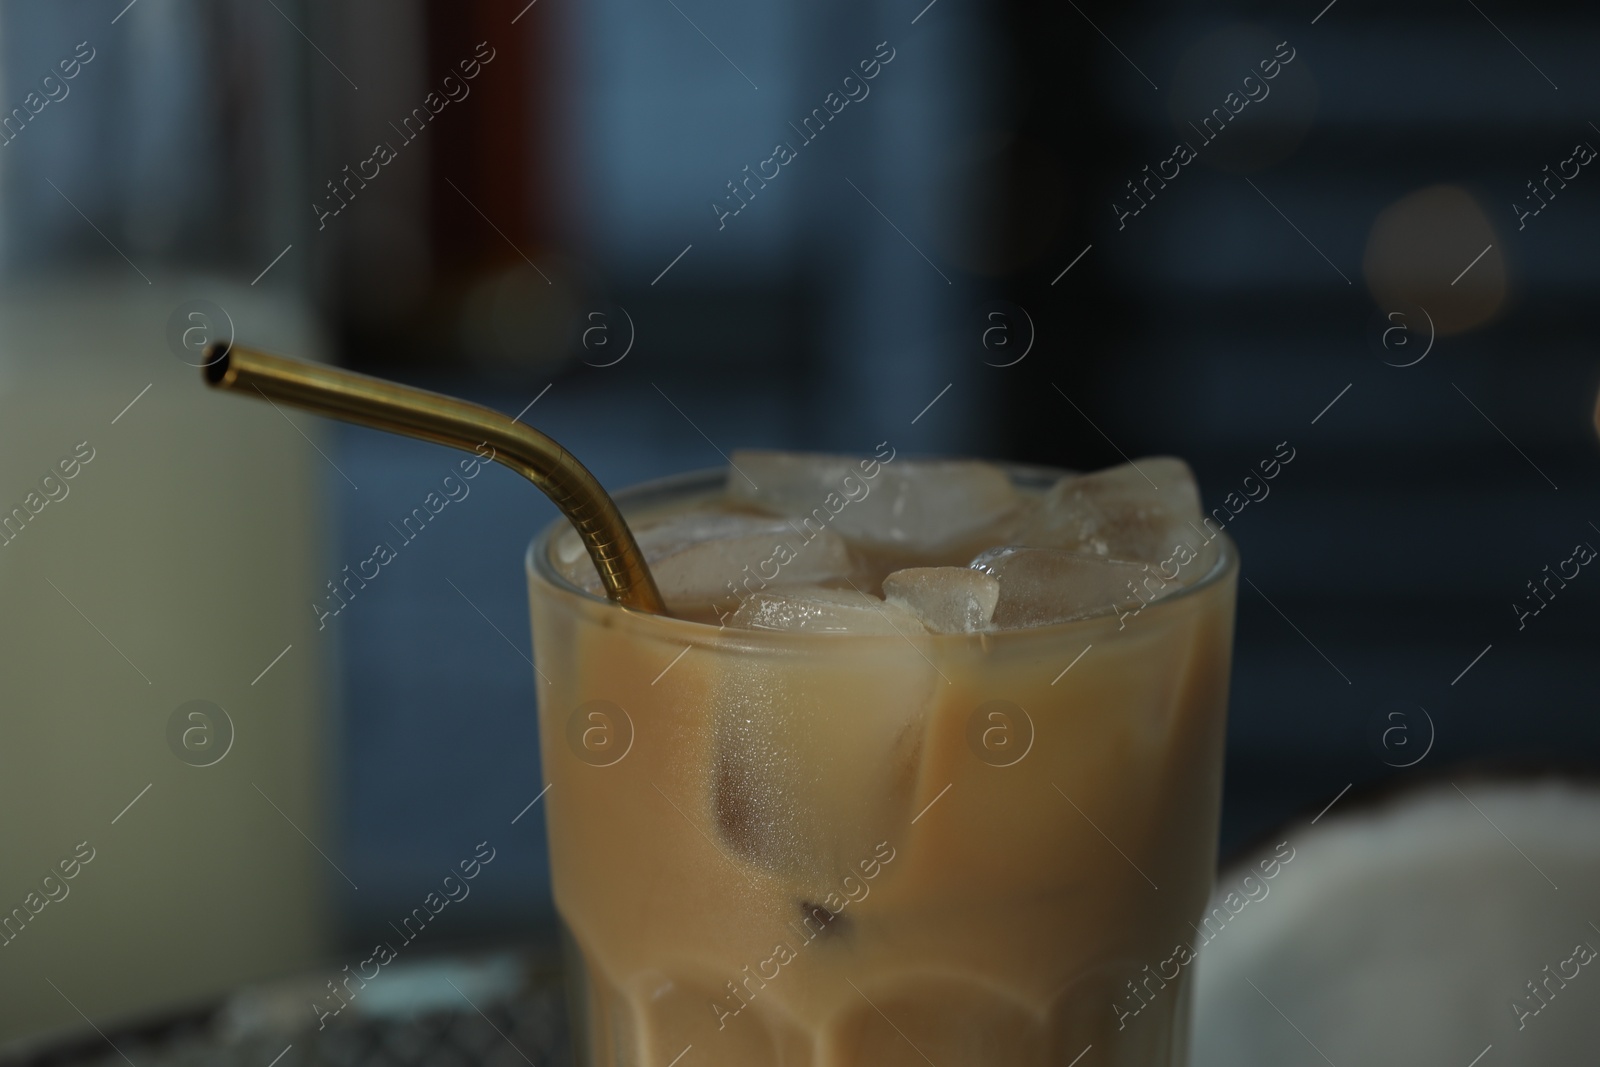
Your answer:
<point x="924" y="770"/>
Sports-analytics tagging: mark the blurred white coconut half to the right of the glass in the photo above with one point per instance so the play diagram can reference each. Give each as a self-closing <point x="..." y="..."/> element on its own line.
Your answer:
<point x="1420" y="932"/>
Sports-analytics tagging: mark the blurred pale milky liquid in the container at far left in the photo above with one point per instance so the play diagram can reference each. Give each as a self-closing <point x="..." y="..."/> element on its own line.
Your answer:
<point x="175" y="564"/>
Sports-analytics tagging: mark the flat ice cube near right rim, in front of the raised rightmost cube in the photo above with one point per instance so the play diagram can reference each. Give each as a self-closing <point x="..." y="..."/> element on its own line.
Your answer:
<point x="1044" y="586"/>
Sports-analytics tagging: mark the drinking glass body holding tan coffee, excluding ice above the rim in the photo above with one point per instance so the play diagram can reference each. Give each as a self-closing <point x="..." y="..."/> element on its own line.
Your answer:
<point x="834" y="850"/>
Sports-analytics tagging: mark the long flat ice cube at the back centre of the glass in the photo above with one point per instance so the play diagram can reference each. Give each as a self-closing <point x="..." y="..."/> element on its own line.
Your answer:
<point x="919" y="506"/>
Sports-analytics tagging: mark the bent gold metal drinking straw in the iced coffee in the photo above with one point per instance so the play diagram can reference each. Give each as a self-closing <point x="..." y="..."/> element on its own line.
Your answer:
<point x="449" y="422"/>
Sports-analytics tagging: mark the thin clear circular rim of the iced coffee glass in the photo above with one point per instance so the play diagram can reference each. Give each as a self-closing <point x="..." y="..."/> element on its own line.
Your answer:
<point x="538" y="561"/>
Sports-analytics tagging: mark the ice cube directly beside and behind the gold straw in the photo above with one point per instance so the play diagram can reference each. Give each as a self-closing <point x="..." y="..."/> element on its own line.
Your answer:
<point x="697" y="556"/>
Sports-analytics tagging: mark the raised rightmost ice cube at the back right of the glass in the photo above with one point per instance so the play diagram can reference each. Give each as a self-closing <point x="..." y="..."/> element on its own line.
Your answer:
<point x="1138" y="511"/>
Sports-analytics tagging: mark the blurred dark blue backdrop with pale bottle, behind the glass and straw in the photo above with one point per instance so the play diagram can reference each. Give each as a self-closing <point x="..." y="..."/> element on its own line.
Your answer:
<point x="1380" y="260"/>
